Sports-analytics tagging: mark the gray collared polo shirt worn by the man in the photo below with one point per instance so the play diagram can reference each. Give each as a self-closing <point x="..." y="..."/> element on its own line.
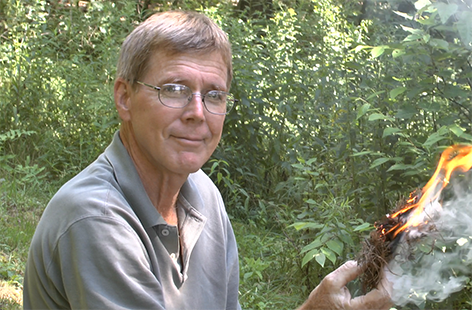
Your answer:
<point x="101" y="244"/>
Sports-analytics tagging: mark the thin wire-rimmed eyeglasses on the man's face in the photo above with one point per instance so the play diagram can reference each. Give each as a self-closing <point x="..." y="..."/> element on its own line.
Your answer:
<point x="178" y="96"/>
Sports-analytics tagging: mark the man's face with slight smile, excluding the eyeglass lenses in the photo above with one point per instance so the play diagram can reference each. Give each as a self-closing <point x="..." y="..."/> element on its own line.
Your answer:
<point x="169" y="140"/>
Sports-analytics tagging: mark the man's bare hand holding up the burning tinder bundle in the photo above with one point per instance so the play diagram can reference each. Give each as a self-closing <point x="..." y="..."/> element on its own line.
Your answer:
<point x="332" y="293"/>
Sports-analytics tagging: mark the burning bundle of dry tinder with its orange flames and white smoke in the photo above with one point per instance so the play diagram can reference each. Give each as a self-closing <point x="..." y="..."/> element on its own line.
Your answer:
<point x="426" y="243"/>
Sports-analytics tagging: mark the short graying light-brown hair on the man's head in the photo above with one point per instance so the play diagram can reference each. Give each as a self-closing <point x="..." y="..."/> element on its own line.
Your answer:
<point x="174" y="32"/>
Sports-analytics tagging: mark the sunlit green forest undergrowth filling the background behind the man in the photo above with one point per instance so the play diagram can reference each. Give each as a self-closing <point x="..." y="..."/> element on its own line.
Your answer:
<point x="344" y="109"/>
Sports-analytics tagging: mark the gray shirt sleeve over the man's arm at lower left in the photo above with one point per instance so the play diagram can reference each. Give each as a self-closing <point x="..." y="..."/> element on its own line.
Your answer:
<point x="98" y="263"/>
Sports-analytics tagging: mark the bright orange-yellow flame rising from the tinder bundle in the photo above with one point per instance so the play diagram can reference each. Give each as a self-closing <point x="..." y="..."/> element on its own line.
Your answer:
<point x="456" y="157"/>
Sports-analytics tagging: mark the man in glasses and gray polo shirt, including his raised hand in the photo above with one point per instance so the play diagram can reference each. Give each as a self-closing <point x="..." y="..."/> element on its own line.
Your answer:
<point x="143" y="227"/>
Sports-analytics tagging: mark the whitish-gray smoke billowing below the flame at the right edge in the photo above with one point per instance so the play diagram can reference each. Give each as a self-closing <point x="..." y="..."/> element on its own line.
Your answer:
<point x="433" y="260"/>
